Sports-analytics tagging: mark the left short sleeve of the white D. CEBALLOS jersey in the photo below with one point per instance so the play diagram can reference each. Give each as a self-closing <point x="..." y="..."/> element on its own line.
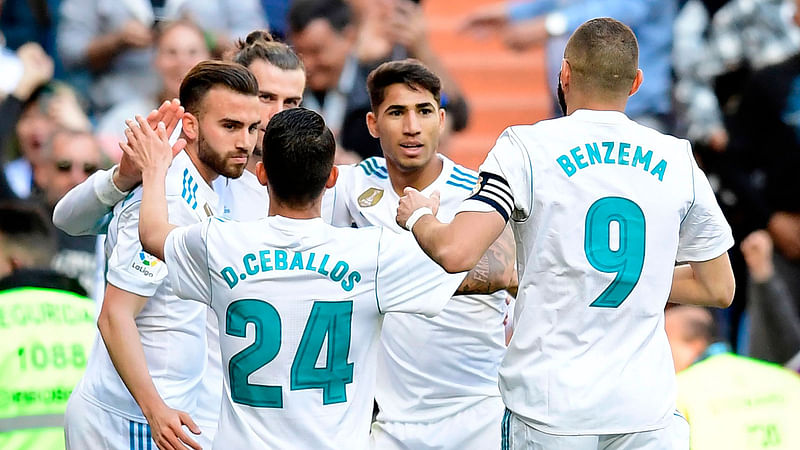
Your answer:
<point x="186" y="255"/>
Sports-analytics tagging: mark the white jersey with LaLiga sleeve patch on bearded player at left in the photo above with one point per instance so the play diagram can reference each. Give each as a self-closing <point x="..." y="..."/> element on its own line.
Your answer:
<point x="172" y="331"/>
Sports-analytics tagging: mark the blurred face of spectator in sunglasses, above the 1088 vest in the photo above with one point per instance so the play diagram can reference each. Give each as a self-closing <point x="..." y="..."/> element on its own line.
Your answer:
<point x="72" y="158"/>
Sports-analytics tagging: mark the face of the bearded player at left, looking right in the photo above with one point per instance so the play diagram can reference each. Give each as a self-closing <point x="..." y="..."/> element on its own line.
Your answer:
<point x="226" y="129"/>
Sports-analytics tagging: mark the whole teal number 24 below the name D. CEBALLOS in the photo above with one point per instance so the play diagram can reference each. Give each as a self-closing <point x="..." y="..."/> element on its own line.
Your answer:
<point x="331" y="319"/>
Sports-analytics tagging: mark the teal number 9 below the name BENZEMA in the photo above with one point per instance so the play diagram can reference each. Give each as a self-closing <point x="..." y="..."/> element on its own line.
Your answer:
<point x="627" y="260"/>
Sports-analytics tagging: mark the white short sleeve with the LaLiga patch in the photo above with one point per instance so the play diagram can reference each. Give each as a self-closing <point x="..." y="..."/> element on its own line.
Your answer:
<point x="130" y="268"/>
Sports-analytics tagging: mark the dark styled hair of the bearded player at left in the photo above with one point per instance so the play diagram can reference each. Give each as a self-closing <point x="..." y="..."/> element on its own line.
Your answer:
<point x="209" y="74"/>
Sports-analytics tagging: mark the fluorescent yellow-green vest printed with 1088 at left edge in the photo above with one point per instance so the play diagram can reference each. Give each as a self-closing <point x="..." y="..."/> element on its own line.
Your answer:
<point x="45" y="338"/>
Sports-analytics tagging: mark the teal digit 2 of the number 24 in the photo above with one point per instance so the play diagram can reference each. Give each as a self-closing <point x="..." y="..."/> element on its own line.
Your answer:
<point x="263" y="350"/>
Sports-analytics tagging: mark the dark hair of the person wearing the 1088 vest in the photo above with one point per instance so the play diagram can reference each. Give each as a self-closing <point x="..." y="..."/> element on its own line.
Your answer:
<point x="25" y="227"/>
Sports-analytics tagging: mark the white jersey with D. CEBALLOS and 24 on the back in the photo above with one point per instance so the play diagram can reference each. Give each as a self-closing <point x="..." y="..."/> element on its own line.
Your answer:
<point x="299" y="305"/>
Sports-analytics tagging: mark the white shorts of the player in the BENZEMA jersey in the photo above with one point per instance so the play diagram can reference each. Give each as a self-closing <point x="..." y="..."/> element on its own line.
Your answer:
<point x="517" y="435"/>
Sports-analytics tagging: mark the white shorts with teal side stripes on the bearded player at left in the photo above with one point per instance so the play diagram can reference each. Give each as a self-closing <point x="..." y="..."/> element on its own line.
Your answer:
<point x="88" y="426"/>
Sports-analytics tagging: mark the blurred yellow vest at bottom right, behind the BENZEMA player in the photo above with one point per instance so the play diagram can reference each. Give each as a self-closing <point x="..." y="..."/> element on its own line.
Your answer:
<point x="733" y="402"/>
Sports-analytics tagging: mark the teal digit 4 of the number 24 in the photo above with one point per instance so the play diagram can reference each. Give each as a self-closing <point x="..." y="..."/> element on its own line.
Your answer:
<point x="331" y="319"/>
